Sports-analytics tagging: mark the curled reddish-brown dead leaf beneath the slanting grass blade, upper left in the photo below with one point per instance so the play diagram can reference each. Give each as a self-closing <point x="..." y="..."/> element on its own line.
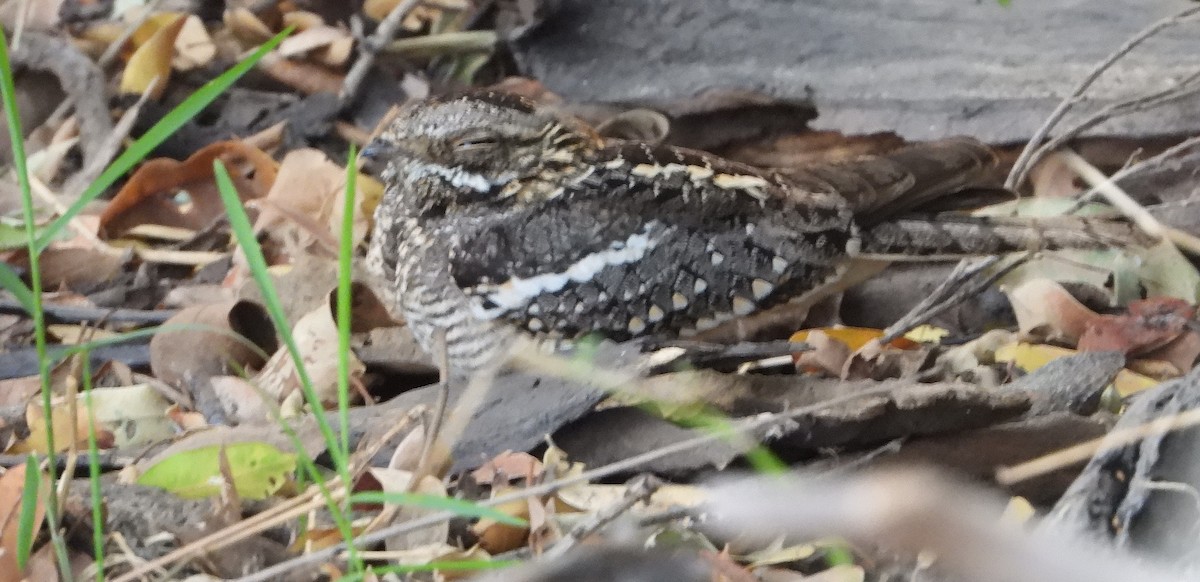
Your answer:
<point x="149" y="196"/>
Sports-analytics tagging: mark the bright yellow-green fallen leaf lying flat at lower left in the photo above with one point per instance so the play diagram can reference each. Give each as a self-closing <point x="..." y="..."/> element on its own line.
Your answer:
<point x="259" y="471"/>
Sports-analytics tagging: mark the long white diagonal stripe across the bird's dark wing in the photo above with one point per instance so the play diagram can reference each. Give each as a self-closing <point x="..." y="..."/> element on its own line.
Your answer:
<point x="518" y="292"/>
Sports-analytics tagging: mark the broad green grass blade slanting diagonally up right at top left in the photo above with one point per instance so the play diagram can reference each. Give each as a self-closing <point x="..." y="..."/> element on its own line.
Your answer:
<point x="169" y="125"/>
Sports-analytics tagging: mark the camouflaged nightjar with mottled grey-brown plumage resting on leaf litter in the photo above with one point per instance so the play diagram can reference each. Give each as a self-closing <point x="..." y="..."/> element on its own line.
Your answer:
<point x="500" y="218"/>
